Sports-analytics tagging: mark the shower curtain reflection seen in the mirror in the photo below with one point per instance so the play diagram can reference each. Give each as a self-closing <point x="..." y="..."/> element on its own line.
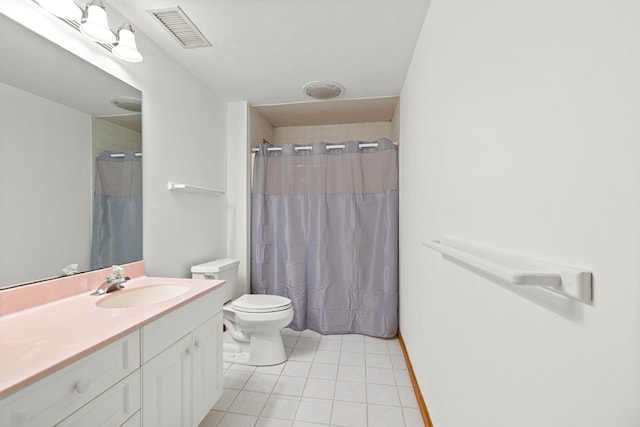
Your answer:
<point x="117" y="210"/>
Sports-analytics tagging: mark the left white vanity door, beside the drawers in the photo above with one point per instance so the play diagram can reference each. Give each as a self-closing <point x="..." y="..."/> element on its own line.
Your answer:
<point x="166" y="387"/>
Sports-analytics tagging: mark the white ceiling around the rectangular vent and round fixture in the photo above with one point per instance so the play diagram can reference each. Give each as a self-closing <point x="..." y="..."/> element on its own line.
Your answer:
<point x="264" y="51"/>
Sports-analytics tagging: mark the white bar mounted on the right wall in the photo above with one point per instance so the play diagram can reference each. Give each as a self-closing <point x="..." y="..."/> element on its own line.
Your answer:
<point x="568" y="281"/>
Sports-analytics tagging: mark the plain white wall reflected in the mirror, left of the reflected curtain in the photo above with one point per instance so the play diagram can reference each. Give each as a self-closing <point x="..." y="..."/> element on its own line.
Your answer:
<point x="45" y="182"/>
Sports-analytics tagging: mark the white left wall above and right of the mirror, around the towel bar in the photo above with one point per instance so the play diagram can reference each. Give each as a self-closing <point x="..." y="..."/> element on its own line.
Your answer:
<point x="184" y="140"/>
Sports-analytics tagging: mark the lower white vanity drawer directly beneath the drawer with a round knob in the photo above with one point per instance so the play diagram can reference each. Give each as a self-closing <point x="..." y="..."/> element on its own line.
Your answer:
<point x="112" y="408"/>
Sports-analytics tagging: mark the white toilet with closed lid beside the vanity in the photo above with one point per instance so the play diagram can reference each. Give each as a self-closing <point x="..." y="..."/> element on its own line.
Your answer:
<point x="253" y="321"/>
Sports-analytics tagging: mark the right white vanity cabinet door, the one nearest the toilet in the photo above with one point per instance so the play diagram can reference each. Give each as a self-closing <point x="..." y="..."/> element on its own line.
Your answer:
<point x="207" y="367"/>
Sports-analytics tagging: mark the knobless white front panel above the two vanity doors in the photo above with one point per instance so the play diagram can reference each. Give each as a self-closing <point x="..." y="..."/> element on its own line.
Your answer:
<point x="168" y="329"/>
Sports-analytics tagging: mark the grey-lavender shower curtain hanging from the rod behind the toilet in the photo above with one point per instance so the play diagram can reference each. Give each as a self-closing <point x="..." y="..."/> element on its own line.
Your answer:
<point x="324" y="230"/>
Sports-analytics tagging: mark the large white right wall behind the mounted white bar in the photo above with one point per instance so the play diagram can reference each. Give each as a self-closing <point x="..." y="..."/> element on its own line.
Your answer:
<point x="520" y="130"/>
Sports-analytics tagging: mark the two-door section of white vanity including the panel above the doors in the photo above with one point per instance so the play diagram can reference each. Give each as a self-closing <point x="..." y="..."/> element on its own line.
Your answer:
<point x="182" y="365"/>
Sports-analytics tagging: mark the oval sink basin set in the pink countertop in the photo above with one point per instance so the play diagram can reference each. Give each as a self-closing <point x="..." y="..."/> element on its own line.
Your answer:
<point x="141" y="296"/>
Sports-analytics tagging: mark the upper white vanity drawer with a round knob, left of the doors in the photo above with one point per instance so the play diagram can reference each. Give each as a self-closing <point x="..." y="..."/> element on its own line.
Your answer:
<point x="53" y="398"/>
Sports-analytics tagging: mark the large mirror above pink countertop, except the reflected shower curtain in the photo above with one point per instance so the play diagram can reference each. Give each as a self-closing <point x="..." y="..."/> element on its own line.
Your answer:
<point x="56" y="116"/>
